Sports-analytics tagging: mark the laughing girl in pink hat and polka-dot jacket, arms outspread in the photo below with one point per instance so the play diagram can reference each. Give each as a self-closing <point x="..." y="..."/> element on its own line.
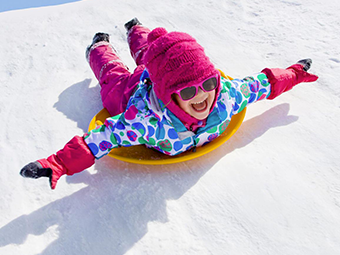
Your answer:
<point x="175" y="99"/>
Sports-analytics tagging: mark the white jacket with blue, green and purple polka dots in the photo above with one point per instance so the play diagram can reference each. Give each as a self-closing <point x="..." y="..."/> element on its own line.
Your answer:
<point x="144" y="123"/>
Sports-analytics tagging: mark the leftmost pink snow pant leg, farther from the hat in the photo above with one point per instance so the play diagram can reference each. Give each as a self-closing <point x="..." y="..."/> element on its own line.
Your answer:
<point x="117" y="83"/>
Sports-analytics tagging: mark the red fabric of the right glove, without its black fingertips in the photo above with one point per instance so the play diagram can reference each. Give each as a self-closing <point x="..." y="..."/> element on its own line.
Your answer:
<point x="282" y="80"/>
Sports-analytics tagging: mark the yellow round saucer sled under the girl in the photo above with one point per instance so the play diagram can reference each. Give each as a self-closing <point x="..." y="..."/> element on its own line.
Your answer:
<point x="140" y="154"/>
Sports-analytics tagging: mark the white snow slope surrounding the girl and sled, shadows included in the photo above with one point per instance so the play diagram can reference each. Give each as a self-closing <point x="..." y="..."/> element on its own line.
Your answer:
<point x="273" y="188"/>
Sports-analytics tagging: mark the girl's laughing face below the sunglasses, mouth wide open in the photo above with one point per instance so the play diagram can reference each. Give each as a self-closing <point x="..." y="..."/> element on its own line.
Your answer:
<point x="199" y="106"/>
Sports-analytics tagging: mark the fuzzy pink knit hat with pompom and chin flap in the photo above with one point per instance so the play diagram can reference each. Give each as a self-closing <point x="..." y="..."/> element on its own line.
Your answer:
<point x="175" y="60"/>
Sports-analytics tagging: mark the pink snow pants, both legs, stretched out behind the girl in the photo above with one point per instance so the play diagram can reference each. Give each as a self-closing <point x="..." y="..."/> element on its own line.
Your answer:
<point x="116" y="81"/>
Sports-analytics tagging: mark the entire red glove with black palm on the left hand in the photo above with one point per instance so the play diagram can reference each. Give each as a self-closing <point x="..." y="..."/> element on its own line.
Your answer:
<point x="73" y="158"/>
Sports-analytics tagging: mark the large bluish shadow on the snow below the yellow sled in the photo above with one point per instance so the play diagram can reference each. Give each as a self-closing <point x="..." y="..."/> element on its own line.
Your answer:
<point x="113" y="212"/>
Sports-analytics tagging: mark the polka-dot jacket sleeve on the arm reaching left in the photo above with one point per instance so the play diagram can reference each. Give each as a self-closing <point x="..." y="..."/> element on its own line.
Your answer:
<point x="126" y="129"/>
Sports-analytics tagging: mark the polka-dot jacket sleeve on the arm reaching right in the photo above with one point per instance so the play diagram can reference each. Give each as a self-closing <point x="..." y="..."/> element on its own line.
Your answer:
<point x="243" y="92"/>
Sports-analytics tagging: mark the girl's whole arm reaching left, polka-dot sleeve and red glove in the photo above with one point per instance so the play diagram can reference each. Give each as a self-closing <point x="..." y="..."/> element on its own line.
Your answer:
<point x="80" y="152"/>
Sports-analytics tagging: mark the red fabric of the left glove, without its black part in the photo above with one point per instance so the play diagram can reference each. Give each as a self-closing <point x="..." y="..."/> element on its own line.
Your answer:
<point x="73" y="158"/>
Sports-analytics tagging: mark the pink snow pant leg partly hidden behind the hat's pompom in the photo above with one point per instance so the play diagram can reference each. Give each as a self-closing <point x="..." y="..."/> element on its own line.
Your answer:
<point x="138" y="43"/>
